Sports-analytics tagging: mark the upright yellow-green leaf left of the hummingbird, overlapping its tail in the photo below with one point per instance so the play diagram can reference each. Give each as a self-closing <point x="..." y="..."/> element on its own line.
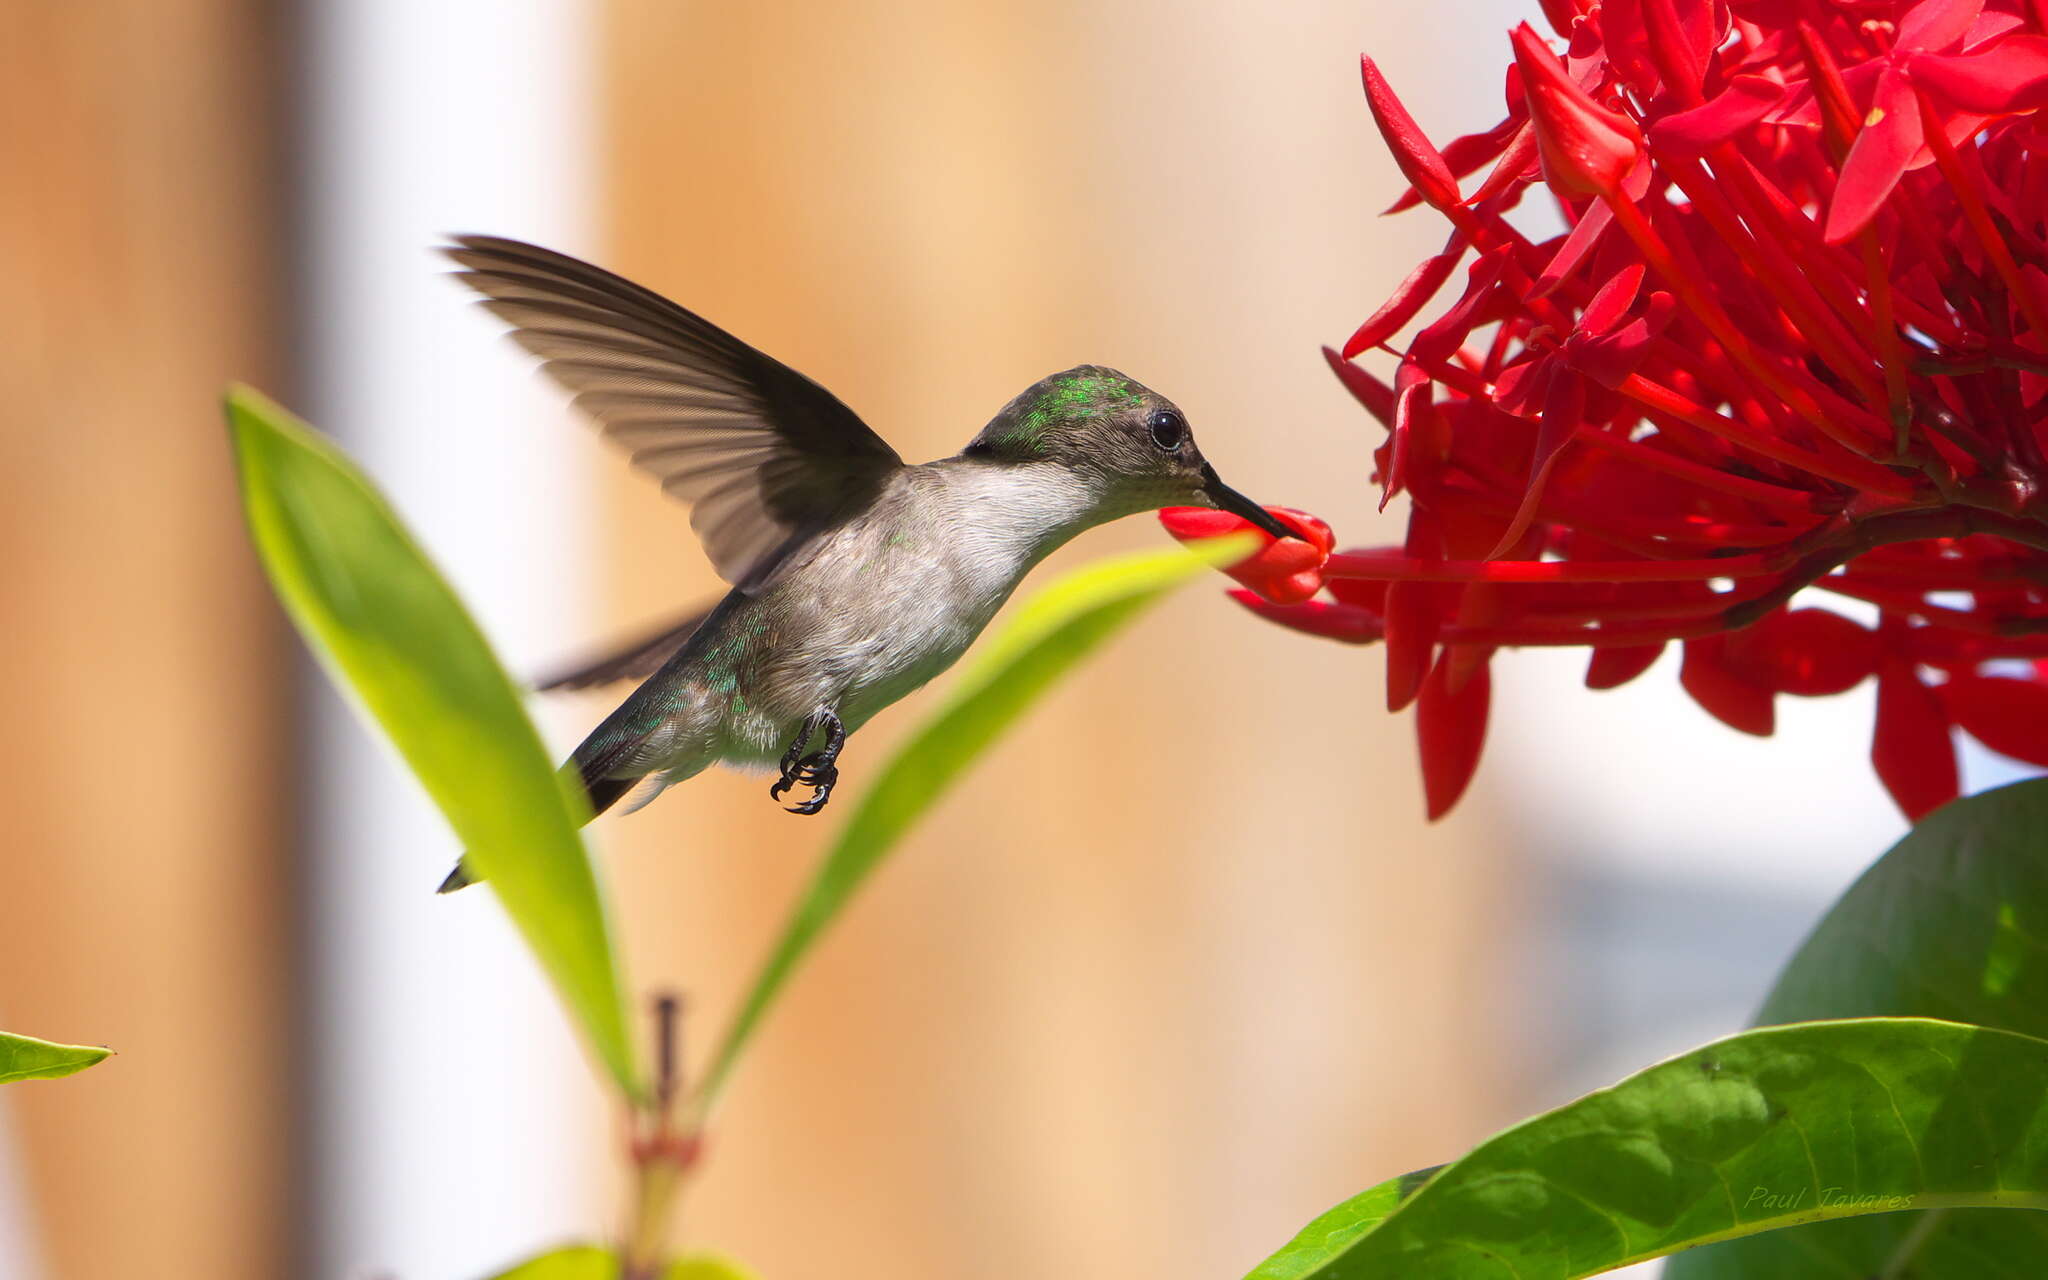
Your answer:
<point x="390" y="632"/>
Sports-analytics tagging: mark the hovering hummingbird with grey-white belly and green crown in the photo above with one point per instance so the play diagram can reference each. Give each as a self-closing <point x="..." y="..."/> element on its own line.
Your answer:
<point x="855" y="577"/>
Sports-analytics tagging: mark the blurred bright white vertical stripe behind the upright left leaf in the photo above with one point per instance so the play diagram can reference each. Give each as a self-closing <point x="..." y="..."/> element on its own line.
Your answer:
<point x="452" y="1113"/>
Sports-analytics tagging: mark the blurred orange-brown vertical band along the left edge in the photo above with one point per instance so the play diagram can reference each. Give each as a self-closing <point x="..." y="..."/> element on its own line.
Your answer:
<point x="144" y="882"/>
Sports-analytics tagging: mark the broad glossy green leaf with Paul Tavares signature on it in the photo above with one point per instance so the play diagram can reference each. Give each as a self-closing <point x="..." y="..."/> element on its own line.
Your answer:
<point x="1752" y="1134"/>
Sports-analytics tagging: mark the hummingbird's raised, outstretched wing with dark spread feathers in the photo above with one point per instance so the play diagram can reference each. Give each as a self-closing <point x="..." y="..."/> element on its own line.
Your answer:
<point x="765" y="456"/>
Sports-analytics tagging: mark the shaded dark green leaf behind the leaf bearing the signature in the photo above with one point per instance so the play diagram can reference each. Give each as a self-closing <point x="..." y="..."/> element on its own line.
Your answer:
<point x="1953" y="923"/>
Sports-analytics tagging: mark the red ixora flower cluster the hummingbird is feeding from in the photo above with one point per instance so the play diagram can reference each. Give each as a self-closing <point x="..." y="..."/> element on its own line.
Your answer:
<point x="1795" y="335"/>
